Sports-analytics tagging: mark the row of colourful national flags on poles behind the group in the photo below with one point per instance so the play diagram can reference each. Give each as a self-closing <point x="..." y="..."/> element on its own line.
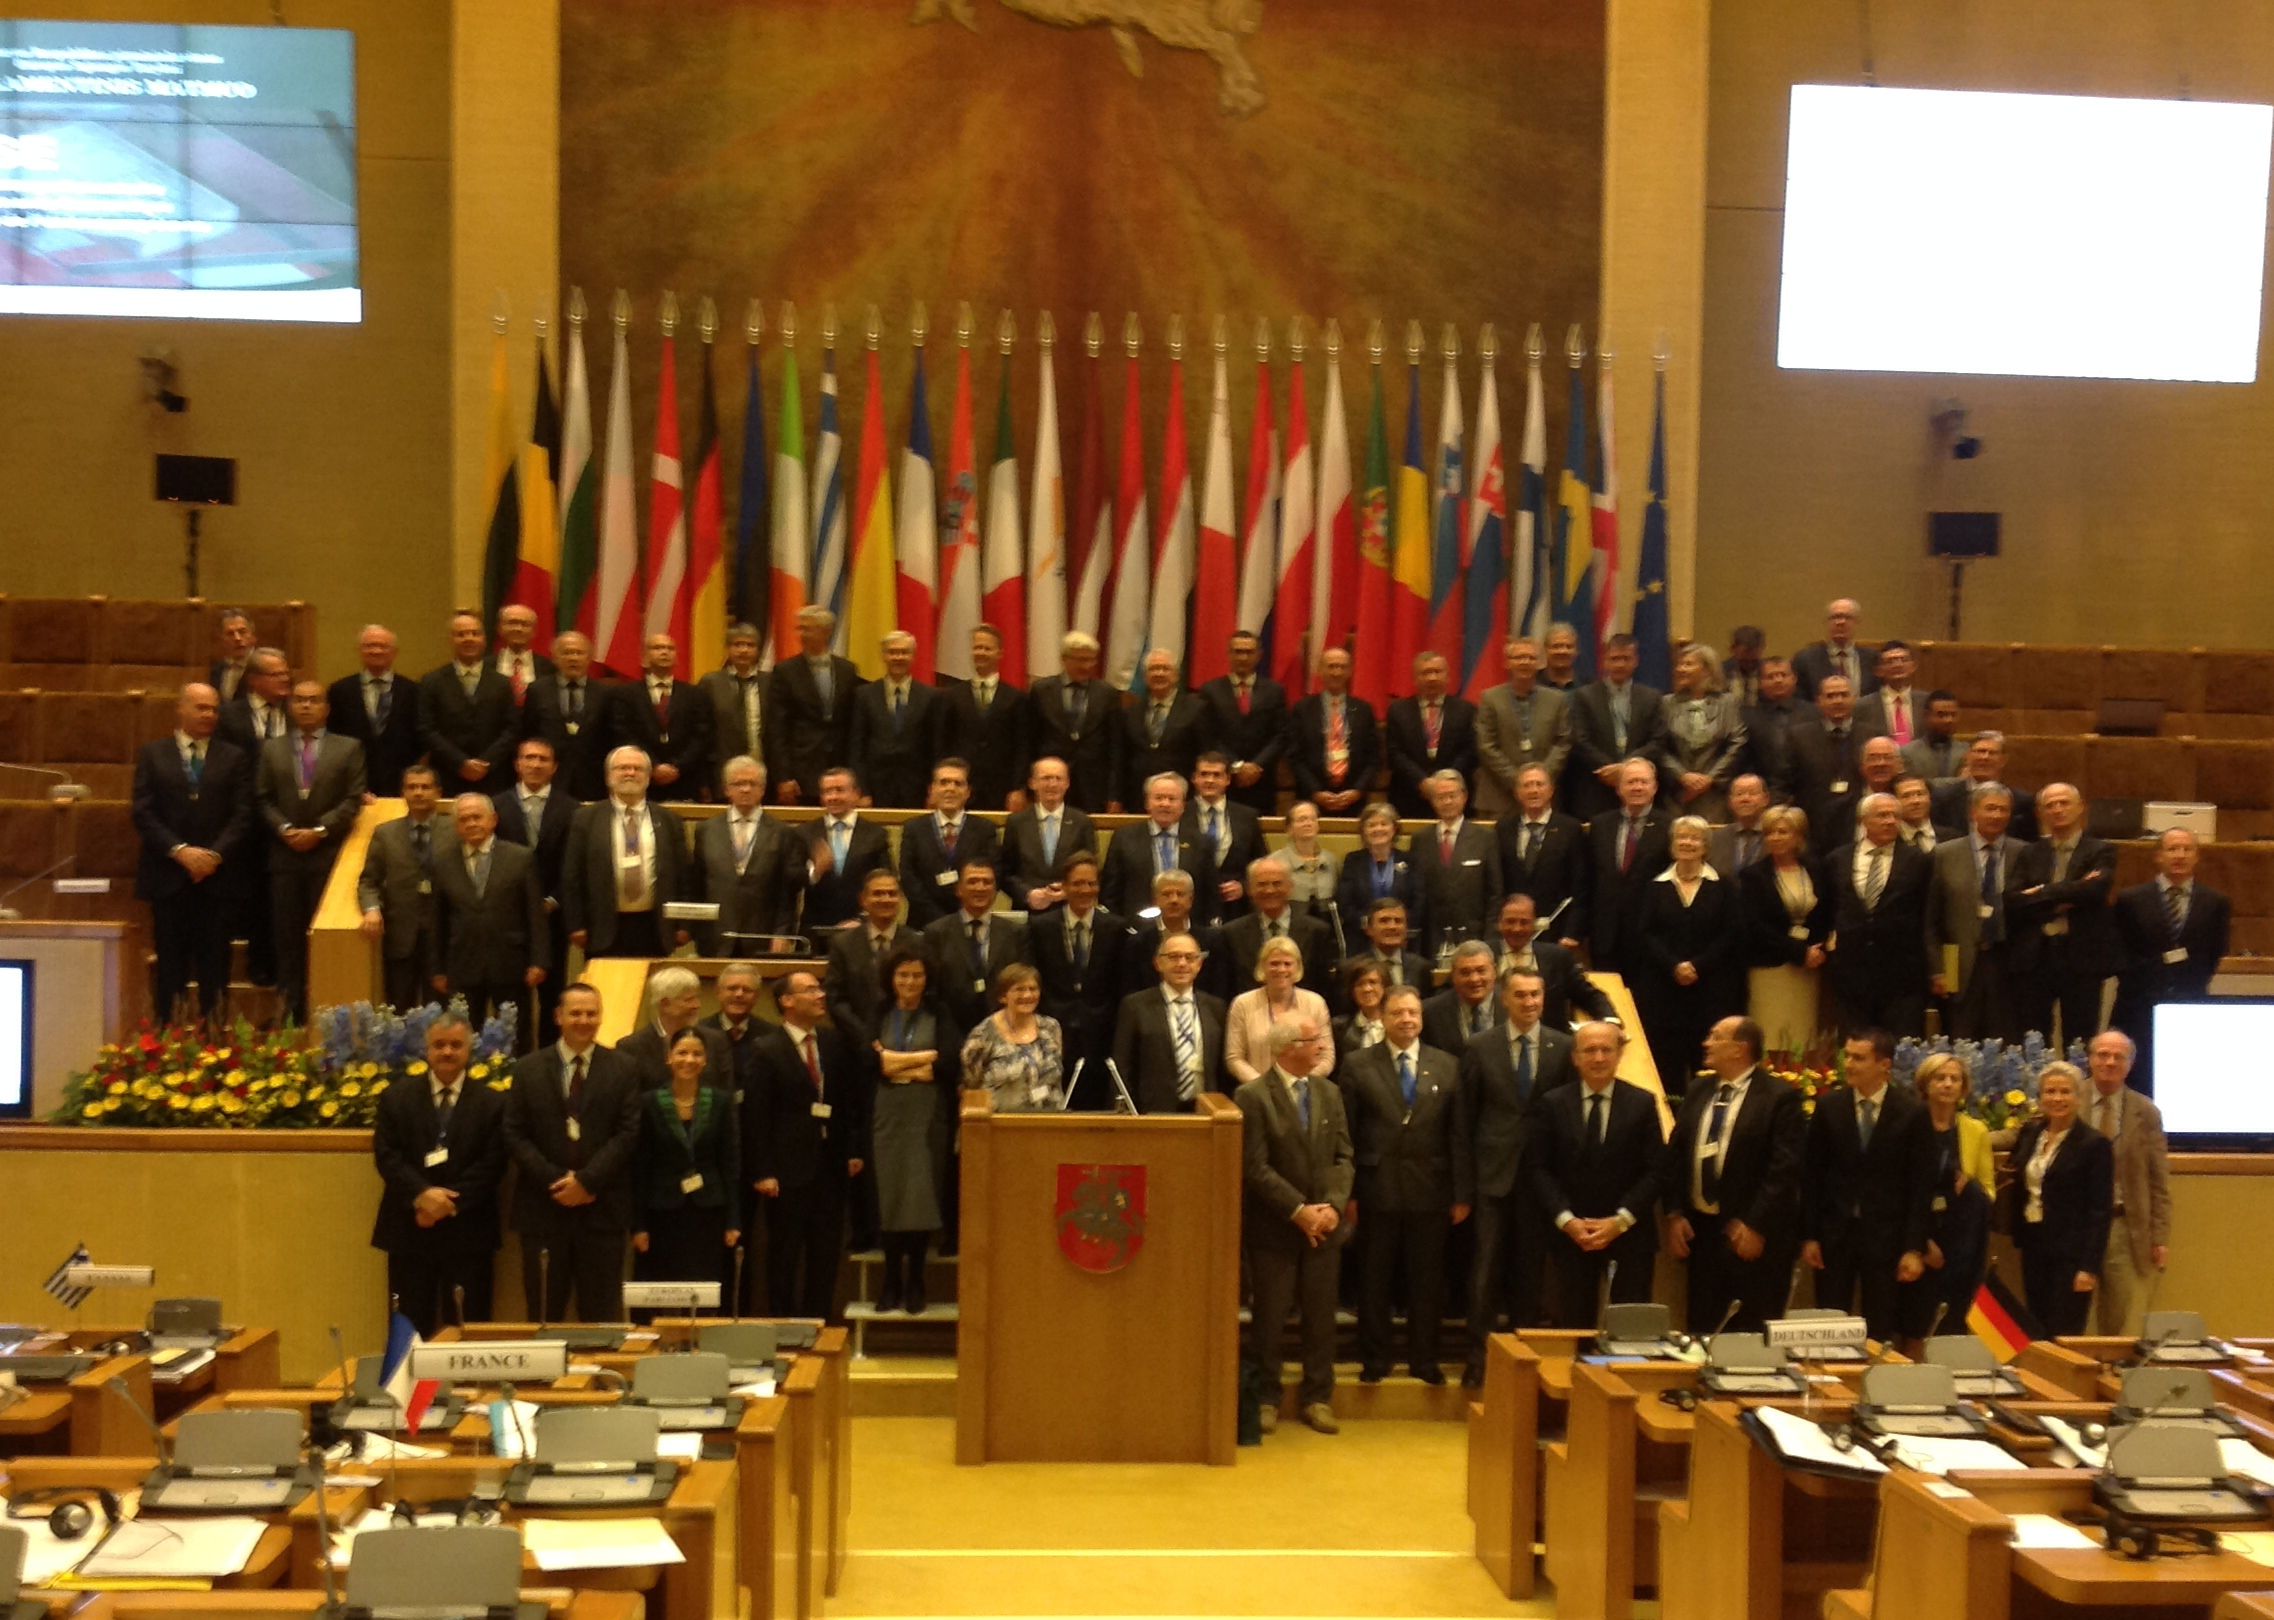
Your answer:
<point x="1434" y="554"/>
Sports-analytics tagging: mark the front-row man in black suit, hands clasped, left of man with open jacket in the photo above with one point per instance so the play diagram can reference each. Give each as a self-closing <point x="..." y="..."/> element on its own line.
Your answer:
<point x="1595" y="1162"/>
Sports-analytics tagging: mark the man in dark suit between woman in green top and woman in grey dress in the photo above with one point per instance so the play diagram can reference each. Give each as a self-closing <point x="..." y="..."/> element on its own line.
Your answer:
<point x="806" y="1143"/>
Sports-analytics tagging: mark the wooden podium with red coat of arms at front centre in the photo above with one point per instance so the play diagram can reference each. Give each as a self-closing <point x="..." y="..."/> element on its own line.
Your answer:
<point x="1099" y="1287"/>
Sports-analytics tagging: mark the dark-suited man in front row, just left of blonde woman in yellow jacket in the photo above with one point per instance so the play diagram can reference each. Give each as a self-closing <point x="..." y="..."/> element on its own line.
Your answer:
<point x="1866" y="1187"/>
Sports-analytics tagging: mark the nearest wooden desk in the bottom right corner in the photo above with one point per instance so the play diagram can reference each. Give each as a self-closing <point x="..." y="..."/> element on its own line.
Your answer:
<point x="1948" y="1555"/>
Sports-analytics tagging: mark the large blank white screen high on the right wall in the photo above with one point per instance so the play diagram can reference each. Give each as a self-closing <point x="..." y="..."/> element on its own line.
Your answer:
<point x="2023" y="235"/>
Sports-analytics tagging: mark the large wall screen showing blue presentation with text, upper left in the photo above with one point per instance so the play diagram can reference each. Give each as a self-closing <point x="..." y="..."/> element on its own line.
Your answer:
<point x="179" y="172"/>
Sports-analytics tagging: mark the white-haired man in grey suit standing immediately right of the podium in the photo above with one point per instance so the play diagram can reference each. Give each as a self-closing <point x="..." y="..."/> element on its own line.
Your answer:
<point x="1300" y="1171"/>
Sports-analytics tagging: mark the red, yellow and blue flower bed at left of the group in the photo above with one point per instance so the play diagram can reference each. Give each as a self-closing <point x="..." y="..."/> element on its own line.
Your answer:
<point x="269" y="1080"/>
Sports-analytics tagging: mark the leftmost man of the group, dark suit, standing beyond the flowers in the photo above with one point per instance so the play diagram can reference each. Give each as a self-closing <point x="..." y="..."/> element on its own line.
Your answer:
<point x="194" y="816"/>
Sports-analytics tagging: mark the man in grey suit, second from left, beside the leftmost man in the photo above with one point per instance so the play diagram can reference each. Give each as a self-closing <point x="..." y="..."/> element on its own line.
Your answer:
<point x="310" y="791"/>
